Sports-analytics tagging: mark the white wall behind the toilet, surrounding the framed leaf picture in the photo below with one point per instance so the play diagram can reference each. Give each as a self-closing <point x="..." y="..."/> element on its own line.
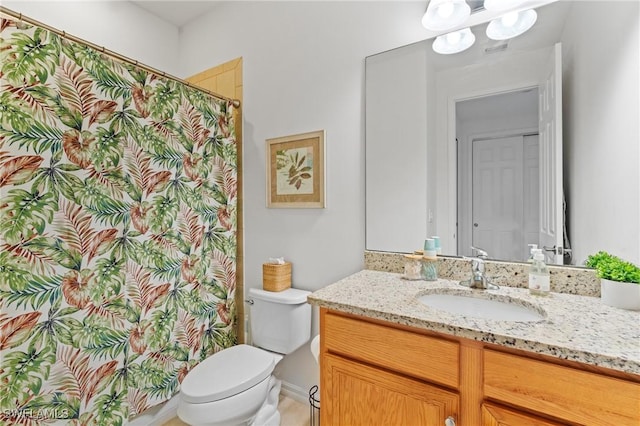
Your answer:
<point x="303" y="65"/>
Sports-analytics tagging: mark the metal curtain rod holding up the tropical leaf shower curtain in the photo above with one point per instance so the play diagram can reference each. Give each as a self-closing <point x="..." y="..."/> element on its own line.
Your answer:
<point x="117" y="56"/>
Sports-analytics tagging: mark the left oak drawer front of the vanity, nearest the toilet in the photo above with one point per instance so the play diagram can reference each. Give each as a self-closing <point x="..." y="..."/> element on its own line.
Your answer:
<point x="414" y="354"/>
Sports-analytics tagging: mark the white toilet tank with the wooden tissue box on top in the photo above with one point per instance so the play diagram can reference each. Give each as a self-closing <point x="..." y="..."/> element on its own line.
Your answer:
<point x="279" y="321"/>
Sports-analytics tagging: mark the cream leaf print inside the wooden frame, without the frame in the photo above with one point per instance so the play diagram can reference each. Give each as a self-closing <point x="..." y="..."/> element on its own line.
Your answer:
<point x="294" y="171"/>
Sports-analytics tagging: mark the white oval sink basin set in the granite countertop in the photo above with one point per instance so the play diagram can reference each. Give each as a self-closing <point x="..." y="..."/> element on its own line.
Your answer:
<point x="507" y="309"/>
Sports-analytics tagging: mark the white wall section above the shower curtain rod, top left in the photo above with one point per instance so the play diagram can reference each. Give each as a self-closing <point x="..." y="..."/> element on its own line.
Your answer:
<point x="119" y="26"/>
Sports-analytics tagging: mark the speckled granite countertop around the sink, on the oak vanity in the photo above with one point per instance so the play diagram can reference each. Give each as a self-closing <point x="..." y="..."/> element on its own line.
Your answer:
<point x="578" y="328"/>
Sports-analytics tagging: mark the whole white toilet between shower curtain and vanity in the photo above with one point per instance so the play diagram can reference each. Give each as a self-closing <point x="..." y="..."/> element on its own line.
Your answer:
<point x="235" y="386"/>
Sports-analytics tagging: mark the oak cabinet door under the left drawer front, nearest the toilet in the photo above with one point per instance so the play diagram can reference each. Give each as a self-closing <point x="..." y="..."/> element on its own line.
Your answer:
<point x="355" y="394"/>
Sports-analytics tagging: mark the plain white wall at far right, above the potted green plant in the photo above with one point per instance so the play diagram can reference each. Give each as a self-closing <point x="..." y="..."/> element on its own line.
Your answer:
<point x="601" y="129"/>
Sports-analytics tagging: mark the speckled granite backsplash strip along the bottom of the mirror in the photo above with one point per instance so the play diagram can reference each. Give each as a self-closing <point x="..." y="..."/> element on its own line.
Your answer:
<point x="570" y="280"/>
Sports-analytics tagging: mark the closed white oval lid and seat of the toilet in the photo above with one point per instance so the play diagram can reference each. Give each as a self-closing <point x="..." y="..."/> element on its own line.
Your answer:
<point x="226" y="373"/>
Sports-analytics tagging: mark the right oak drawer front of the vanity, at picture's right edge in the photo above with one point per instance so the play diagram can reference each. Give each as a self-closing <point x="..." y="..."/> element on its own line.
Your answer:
<point x="566" y="393"/>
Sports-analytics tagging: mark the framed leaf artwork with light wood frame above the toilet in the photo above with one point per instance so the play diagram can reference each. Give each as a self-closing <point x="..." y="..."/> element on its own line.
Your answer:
<point x="295" y="171"/>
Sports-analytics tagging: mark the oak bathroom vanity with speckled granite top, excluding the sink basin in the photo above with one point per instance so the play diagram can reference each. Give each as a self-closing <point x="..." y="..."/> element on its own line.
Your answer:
<point x="386" y="358"/>
